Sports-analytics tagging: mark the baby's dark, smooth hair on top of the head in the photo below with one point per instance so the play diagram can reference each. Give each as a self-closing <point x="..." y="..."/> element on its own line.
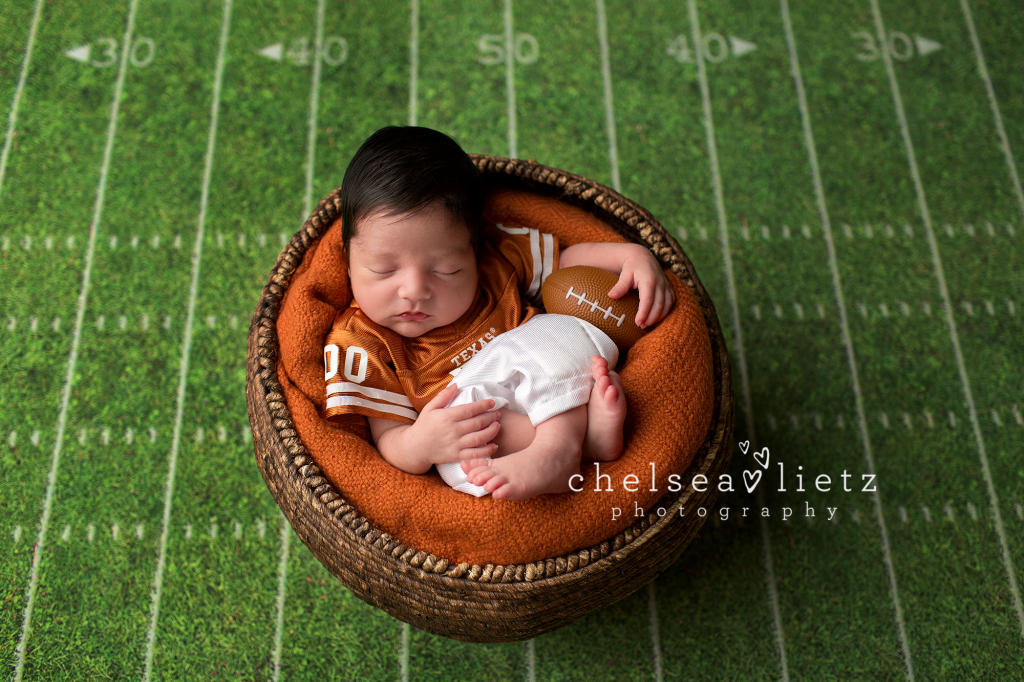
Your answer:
<point x="406" y="169"/>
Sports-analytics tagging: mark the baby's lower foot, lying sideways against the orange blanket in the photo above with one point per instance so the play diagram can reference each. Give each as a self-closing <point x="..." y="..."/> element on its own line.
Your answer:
<point x="527" y="474"/>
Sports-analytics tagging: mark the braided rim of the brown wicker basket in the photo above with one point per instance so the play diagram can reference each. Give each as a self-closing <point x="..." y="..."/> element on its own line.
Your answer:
<point x="623" y="216"/>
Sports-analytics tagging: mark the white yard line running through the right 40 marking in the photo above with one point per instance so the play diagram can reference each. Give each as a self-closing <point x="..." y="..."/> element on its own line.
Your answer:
<point x="735" y="310"/>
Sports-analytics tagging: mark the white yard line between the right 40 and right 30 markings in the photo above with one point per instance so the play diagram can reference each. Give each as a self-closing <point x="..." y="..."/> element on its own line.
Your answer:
<point x="813" y="154"/>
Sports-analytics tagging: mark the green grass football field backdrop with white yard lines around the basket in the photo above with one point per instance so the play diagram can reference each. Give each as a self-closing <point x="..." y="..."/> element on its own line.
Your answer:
<point x="842" y="176"/>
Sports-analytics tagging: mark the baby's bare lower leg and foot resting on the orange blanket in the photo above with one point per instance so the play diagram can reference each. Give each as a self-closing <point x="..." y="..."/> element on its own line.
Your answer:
<point x="545" y="466"/>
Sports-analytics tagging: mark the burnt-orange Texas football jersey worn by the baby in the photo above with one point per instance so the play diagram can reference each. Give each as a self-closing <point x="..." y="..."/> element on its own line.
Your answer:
<point x="372" y="371"/>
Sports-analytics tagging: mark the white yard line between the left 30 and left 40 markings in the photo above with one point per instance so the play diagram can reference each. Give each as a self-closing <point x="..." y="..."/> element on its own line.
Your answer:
<point x="158" y="582"/>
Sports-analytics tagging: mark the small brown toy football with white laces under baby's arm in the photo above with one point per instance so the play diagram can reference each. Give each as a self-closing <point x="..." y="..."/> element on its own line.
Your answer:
<point x="582" y="291"/>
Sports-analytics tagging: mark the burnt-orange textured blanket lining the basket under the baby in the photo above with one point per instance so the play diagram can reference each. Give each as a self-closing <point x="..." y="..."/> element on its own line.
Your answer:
<point x="669" y="386"/>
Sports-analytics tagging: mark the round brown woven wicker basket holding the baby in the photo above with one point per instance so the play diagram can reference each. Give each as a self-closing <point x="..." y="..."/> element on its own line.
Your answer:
<point x="472" y="603"/>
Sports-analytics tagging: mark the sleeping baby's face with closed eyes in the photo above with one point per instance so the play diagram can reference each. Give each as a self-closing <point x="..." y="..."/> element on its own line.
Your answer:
<point x="413" y="274"/>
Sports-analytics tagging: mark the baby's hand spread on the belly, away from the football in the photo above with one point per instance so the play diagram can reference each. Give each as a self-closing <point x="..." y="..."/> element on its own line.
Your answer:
<point x="453" y="435"/>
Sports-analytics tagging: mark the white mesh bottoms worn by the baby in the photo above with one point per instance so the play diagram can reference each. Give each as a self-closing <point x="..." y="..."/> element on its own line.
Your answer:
<point x="540" y="369"/>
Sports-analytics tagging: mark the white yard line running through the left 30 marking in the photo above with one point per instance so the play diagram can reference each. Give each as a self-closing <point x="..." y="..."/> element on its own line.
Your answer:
<point x="73" y="359"/>
